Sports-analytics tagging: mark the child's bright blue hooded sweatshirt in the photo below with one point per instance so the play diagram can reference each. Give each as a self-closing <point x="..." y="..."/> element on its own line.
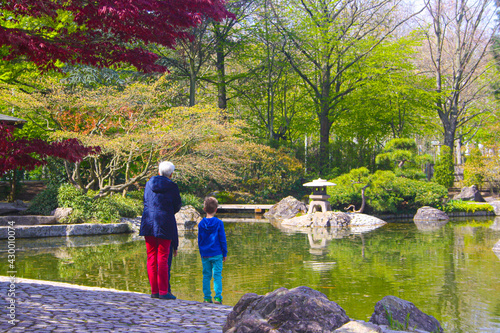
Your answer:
<point x="211" y="237"/>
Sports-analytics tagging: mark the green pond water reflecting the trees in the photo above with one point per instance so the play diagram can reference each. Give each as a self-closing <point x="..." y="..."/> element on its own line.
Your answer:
<point x="449" y="272"/>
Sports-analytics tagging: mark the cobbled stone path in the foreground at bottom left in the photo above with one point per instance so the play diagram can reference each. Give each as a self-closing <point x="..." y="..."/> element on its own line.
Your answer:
<point x="43" y="306"/>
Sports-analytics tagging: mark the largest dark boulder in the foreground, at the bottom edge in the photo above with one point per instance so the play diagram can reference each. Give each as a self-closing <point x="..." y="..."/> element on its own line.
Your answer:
<point x="297" y="310"/>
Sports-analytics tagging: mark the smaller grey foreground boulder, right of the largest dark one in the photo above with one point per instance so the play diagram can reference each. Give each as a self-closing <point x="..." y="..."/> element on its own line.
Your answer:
<point x="392" y="309"/>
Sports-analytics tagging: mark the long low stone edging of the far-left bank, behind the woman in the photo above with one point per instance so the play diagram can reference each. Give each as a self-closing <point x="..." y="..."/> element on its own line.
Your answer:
<point x="63" y="230"/>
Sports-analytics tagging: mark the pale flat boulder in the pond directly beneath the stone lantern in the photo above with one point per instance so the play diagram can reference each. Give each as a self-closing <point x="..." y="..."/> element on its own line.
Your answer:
<point x="319" y="219"/>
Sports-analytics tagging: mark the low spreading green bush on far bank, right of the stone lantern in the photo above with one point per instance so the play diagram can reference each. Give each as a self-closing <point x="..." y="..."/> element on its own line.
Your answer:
<point x="386" y="192"/>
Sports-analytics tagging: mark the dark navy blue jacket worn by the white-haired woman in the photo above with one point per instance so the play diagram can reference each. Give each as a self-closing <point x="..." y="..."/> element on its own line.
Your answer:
<point x="161" y="201"/>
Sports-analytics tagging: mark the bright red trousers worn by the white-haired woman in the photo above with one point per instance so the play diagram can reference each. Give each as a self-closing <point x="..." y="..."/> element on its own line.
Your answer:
<point x="158" y="250"/>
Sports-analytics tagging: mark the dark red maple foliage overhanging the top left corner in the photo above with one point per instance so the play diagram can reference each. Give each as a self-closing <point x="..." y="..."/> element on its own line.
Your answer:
<point x="103" y="32"/>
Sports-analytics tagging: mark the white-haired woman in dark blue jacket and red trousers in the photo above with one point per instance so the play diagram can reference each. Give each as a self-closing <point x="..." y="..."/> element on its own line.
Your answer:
<point x="159" y="228"/>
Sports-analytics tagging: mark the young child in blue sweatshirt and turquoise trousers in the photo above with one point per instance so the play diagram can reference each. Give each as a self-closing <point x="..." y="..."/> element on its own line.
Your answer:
<point x="213" y="250"/>
